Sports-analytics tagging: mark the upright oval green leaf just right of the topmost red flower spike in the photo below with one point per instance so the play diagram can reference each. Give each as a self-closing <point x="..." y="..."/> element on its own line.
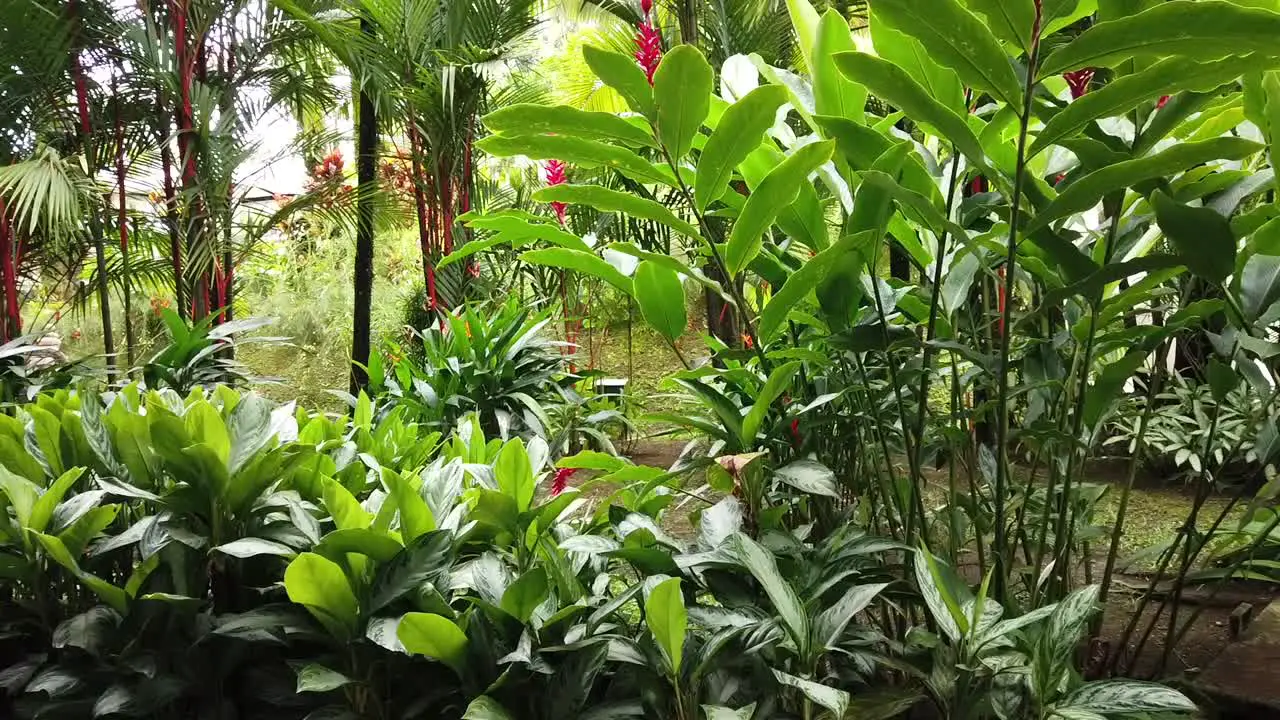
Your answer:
<point x="682" y="92"/>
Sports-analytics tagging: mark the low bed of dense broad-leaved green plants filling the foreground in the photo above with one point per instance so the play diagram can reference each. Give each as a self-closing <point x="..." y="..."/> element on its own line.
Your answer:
<point x="221" y="555"/>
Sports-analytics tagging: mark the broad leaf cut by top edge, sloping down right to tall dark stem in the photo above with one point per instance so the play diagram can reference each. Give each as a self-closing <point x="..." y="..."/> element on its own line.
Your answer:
<point x="959" y="40"/>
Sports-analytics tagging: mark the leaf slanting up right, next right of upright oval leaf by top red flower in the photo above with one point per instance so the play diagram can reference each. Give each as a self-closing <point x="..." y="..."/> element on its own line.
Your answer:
<point x="740" y="130"/>
